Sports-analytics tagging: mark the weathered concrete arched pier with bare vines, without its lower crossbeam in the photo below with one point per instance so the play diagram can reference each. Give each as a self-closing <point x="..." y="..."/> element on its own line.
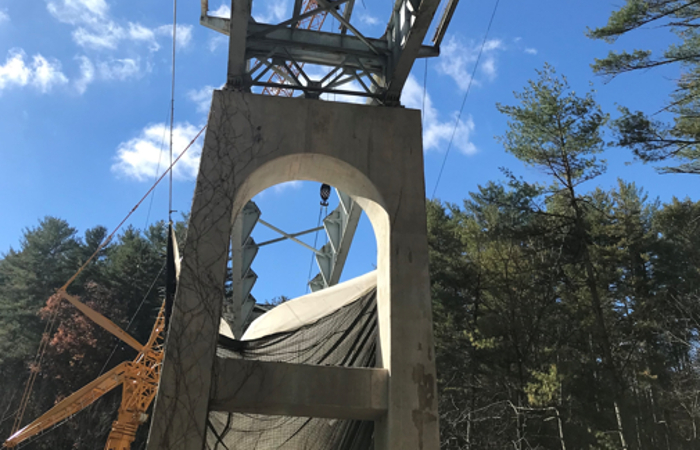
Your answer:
<point x="373" y="154"/>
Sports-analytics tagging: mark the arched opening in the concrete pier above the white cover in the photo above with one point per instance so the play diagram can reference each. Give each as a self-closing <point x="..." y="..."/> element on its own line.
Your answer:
<point x="315" y="246"/>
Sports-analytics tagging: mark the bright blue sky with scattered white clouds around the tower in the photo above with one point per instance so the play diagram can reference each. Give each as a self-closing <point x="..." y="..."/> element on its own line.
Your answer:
<point x="85" y="95"/>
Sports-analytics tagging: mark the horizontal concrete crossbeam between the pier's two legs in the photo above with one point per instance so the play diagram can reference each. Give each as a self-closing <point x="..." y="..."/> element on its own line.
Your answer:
<point x="283" y="389"/>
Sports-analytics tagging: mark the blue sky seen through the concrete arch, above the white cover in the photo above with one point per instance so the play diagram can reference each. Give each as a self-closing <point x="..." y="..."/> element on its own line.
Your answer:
<point x="284" y="267"/>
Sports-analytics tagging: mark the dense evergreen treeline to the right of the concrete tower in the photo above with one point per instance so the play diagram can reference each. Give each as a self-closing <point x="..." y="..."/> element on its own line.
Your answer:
<point x="566" y="317"/>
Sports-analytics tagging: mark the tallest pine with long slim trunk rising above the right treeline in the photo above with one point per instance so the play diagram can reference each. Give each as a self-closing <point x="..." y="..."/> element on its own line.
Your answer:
<point x="560" y="133"/>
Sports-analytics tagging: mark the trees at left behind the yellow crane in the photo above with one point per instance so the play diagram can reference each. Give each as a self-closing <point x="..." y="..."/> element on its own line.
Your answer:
<point x="124" y="283"/>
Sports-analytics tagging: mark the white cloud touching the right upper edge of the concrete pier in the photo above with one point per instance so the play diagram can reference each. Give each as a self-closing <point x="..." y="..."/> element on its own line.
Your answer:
<point x="437" y="133"/>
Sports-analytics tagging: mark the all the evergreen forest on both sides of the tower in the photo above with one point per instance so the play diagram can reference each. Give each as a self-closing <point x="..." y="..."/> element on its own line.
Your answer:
<point x="566" y="316"/>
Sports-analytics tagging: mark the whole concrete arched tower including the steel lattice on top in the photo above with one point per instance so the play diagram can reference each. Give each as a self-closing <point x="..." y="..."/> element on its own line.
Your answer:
<point x="371" y="152"/>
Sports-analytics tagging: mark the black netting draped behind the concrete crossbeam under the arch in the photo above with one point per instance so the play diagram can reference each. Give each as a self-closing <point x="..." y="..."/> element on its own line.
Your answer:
<point x="346" y="337"/>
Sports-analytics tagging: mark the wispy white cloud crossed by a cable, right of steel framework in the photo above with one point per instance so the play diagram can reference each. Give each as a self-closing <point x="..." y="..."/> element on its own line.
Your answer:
<point x="458" y="58"/>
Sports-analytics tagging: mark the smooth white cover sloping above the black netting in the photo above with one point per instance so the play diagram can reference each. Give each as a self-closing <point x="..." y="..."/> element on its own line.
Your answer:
<point x="309" y="308"/>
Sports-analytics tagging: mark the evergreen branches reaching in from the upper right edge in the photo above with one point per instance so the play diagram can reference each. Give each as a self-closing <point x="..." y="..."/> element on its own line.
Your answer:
<point x="651" y="139"/>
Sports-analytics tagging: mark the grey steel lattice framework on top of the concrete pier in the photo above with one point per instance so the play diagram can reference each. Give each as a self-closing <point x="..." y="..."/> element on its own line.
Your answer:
<point x="276" y="56"/>
